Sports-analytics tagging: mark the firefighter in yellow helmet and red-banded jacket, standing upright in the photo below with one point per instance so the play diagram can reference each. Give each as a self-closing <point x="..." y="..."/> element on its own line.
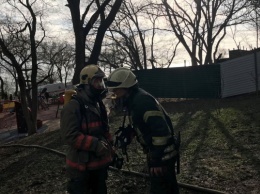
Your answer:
<point x="84" y="126"/>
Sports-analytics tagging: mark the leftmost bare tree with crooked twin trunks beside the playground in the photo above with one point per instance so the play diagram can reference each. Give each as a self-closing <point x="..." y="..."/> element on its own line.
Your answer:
<point x="20" y="37"/>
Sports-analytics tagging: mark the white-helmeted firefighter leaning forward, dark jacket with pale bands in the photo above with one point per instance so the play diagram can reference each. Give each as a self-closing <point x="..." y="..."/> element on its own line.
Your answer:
<point x="152" y="127"/>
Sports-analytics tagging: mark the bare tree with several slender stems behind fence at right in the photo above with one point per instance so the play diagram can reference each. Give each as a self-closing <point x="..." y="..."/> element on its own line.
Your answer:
<point x="201" y="25"/>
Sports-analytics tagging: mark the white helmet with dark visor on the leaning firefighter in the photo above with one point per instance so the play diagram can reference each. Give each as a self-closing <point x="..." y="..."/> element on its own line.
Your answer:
<point x="121" y="78"/>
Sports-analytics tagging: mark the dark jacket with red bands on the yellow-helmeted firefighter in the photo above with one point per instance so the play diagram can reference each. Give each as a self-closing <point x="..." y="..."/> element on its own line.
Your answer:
<point x="82" y="128"/>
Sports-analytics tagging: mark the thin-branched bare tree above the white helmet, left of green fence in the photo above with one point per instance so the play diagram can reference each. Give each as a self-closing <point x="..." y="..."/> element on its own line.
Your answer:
<point x="138" y="38"/>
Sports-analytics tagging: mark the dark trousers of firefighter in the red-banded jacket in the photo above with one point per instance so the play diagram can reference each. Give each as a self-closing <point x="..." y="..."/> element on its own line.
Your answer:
<point x="94" y="182"/>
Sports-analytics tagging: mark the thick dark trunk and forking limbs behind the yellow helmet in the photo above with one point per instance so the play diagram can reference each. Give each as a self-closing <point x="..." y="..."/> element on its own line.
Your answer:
<point x="81" y="32"/>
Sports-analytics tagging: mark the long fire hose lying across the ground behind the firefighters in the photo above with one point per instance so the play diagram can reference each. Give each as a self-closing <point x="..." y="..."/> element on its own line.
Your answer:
<point x="183" y="185"/>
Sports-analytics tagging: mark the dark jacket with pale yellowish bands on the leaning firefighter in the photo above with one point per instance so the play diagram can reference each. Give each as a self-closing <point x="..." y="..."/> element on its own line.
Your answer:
<point x="153" y="127"/>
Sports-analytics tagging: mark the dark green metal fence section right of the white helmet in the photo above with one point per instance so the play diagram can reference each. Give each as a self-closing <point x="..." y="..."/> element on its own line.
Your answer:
<point x="182" y="82"/>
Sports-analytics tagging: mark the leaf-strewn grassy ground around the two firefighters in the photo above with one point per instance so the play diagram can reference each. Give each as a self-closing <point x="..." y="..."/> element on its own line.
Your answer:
<point x="231" y="168"/>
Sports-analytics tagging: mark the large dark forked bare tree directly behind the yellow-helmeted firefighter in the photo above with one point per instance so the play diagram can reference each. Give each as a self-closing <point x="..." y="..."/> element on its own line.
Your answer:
<point x="98" y="13"/>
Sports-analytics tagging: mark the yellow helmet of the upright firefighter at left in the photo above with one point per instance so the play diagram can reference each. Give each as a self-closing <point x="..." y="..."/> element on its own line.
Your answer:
<point x="89" y="72"/>
